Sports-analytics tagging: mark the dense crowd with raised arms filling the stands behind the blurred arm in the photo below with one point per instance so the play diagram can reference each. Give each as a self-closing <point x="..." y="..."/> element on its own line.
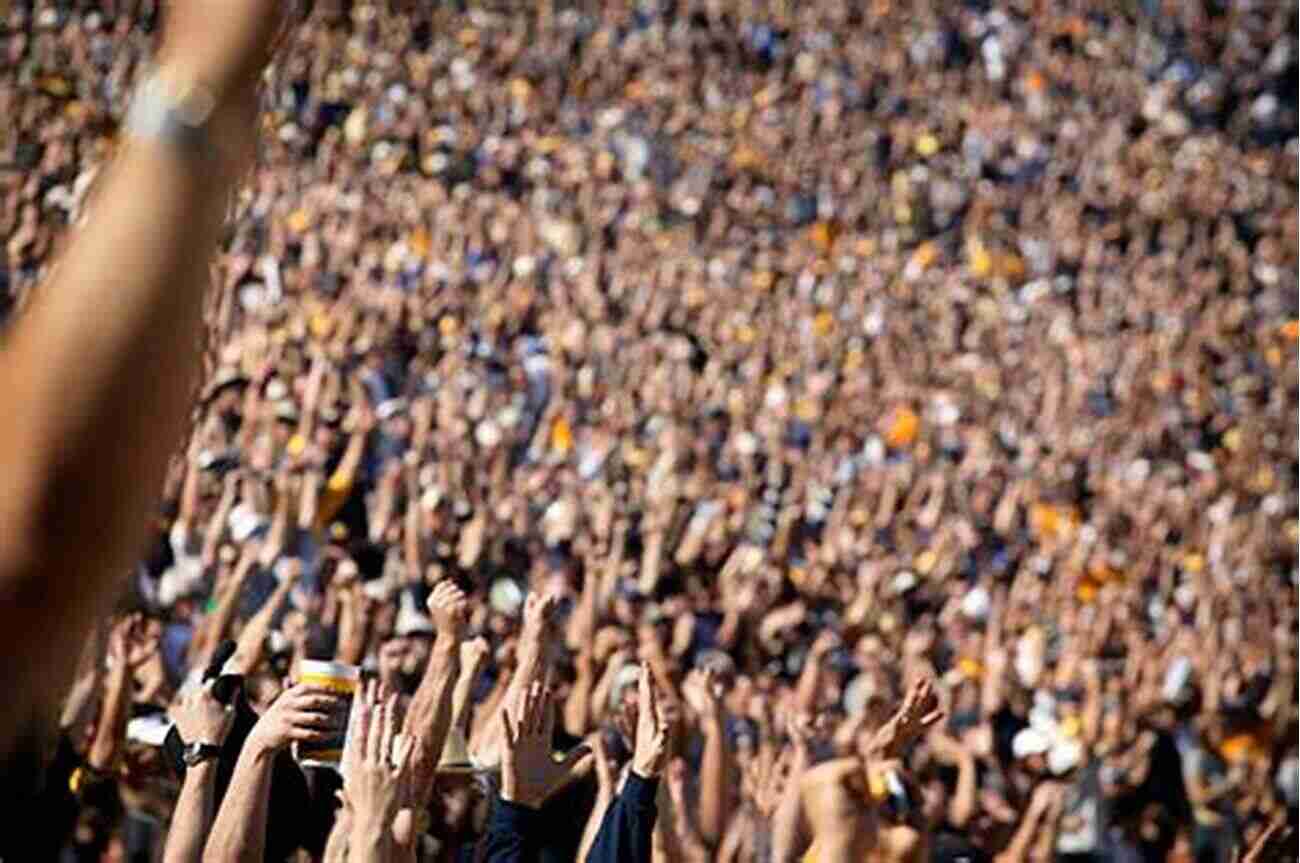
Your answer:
<point x="787" y="413"/>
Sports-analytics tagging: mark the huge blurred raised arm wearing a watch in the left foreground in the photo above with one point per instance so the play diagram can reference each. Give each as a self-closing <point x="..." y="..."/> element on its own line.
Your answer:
<point x="79" y="474"/>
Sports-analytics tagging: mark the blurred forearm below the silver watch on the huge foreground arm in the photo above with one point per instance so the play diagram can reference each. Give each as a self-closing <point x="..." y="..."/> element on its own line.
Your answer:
<point x="67" y="498"/>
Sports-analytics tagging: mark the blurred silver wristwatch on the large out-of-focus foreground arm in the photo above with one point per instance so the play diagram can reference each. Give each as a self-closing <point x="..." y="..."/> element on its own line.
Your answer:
<point x="170" y="106"/>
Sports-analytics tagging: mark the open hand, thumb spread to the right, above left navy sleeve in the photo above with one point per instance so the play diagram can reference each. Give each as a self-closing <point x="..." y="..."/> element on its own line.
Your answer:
<point x="528" y="773"/>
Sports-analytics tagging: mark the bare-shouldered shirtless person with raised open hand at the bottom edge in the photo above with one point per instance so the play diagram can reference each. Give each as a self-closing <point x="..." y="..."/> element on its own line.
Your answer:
<point x="864" y="808"/>
